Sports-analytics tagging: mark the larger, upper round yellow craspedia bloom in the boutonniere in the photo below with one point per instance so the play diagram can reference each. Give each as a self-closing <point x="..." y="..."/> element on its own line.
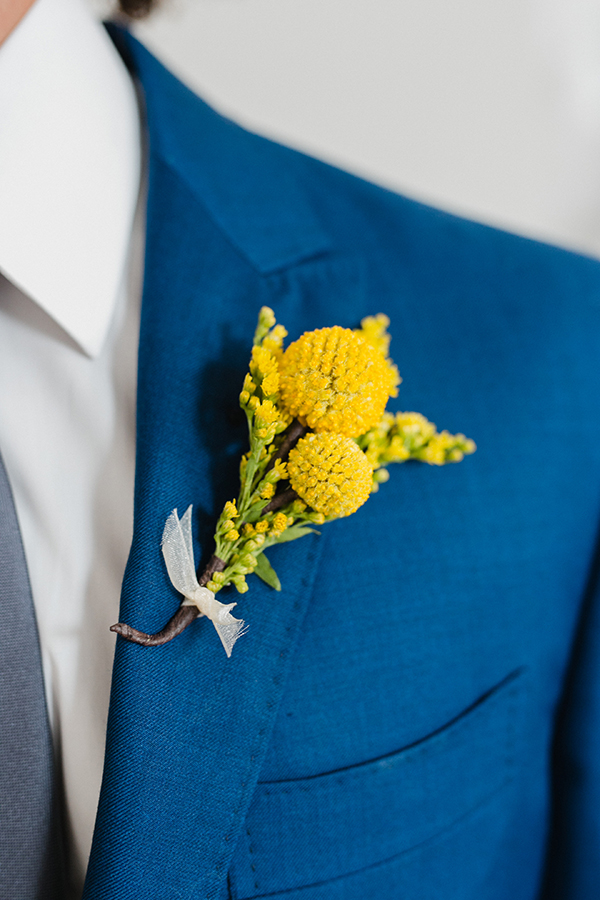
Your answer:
<point x="333" y="379"/>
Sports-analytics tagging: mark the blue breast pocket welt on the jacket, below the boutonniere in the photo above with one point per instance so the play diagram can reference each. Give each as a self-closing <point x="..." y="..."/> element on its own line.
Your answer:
<point x="310" y="830"/>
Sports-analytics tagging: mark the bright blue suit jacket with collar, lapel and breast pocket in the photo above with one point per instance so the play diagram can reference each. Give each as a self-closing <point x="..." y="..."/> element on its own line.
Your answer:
<point x="386" y="727"/>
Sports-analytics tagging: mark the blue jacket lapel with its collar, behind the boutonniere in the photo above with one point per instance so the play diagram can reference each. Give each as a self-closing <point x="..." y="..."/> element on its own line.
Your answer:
<point x="187" y="727"/>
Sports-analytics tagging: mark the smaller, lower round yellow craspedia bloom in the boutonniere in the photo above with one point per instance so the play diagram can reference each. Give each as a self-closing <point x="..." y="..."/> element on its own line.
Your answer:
<point x="330" y="473"/>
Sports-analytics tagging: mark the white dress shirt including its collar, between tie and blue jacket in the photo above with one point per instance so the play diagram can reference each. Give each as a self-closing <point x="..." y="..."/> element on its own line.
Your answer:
<point x="70" y="284"/>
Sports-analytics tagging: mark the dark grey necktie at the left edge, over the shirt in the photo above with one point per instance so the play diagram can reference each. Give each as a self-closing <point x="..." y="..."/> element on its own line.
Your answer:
<point x="30" y="854"/>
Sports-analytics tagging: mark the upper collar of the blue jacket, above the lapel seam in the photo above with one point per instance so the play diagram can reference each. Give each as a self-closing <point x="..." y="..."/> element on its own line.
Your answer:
<point x="251" y="186"/>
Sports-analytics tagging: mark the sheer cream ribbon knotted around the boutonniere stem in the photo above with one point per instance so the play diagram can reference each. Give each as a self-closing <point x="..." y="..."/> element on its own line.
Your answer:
<point x="179" y="557"/>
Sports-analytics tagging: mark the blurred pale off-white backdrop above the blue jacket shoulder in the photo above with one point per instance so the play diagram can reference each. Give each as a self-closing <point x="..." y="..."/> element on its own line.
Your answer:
<point x="489" y="108"/>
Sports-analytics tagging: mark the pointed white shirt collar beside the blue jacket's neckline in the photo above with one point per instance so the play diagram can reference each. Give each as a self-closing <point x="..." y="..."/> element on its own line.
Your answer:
<point x="69" y="166"/>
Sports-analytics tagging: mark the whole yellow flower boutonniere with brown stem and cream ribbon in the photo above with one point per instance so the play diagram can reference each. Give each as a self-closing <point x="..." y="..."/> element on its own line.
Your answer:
<point x="320" y="443"/>
